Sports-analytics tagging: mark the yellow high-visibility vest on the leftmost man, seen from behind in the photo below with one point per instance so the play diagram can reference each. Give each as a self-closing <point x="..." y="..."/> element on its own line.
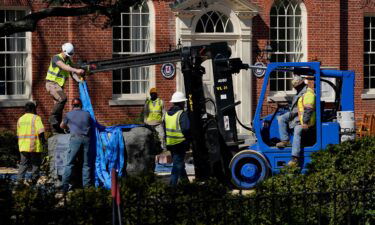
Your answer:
<point x="29" y="126"/>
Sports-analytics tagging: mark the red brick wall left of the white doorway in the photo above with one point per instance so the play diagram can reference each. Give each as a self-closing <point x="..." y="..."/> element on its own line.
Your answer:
<point x="91" y="42"/>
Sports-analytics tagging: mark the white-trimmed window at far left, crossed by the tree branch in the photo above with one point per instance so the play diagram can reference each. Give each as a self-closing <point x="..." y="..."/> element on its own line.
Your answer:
<point x="14" y="56"/>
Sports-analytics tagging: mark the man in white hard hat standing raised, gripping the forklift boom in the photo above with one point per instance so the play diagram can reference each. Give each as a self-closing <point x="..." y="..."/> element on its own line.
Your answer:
<point x="58" y="72"/>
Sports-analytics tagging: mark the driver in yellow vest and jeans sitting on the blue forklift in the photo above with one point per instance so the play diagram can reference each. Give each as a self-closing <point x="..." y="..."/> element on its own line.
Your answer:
<point x="300" y="118"/>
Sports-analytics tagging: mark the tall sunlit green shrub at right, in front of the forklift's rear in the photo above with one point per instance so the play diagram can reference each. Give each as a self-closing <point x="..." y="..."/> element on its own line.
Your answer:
<point x="348" y="166"/>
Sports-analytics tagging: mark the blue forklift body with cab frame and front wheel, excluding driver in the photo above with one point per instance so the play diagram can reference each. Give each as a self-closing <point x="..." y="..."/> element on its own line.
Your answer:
<point x="333" y="124"/>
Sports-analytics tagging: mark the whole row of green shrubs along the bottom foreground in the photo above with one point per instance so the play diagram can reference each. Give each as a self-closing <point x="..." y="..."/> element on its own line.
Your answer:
<point x="327" y="194"/>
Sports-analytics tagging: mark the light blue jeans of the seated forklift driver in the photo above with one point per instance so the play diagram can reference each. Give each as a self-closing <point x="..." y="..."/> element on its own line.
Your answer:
<point x="283" y="131"/>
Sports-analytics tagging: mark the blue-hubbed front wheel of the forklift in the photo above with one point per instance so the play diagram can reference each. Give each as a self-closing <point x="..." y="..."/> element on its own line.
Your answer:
<point x="248" y="168"/>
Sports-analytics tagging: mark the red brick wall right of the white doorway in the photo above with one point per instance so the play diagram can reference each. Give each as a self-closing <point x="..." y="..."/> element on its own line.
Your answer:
<point x="335" y="38"/>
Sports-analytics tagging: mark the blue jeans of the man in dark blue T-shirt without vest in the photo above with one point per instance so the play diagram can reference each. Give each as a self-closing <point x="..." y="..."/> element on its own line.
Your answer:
<point x="77" y="144"/>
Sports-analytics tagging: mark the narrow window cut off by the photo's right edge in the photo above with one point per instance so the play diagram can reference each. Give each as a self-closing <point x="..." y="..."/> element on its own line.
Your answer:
<point x="369" y="53"/>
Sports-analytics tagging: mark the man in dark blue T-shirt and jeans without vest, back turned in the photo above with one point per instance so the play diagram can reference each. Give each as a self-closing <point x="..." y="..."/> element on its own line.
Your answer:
<point x="79" y="123"/>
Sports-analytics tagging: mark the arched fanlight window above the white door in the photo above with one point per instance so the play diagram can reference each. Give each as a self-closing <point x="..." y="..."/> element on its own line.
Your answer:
<point x="214" y="22"/>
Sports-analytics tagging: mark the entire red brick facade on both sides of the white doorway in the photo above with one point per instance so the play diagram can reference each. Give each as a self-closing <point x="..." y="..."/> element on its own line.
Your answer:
<point x="335" y="37"/>
